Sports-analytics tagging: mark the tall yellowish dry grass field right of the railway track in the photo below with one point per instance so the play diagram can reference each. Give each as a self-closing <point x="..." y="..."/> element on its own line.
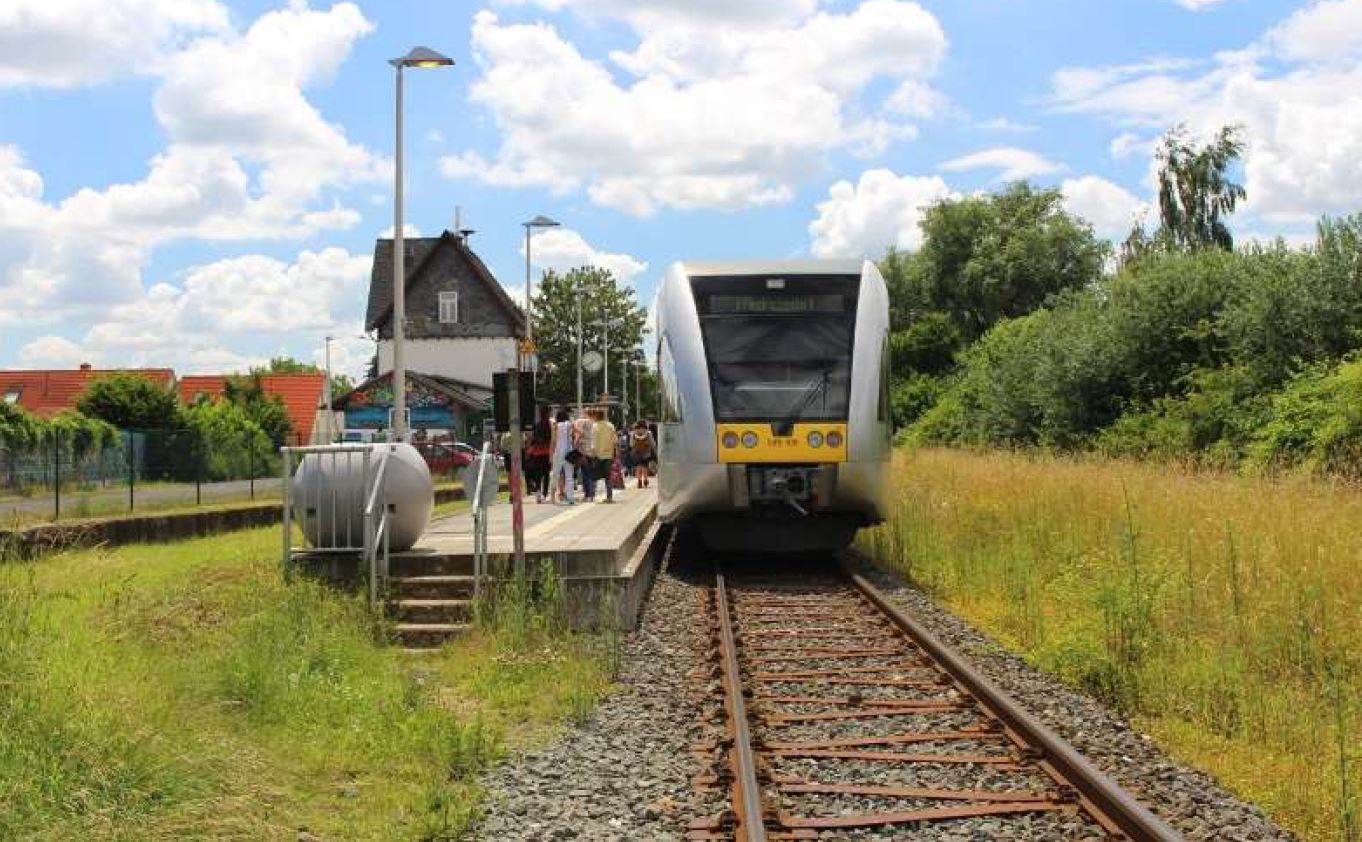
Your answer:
<point x="1224" y="614"/>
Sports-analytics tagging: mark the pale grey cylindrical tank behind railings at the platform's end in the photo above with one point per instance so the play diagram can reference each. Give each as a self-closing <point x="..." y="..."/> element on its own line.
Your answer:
<point x="329" y="497"/>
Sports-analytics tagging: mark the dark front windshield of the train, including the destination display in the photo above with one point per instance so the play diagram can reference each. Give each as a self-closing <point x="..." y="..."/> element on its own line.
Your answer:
<point x="778" y="348"/>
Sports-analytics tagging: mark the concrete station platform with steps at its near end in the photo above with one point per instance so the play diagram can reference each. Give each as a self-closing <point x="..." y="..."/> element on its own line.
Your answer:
<point x="603" y="554"/>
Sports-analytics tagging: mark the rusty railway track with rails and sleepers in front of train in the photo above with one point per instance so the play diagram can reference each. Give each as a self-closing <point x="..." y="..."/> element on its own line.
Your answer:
<point x="844" y="719"/>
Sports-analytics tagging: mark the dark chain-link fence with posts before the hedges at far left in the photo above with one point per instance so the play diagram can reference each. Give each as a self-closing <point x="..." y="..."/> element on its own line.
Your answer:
<point x="61" y="476"/>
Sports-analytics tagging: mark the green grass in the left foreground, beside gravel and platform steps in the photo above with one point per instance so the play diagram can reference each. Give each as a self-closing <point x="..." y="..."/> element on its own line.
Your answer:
<point x="185" y="691"/>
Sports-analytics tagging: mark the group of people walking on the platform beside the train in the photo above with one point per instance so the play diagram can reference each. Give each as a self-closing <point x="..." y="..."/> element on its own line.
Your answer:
<point x="567" y="450"/>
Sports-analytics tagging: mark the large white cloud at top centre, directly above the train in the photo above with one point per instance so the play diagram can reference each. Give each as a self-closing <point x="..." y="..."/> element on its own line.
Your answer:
<point x="713" y="116"/>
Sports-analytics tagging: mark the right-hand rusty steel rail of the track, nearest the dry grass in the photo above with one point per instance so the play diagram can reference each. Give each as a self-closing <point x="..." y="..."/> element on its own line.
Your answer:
<point x="1111" y="805"/>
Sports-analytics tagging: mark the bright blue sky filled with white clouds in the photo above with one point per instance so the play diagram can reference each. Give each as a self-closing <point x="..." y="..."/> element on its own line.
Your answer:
<point x="200" y="183"/>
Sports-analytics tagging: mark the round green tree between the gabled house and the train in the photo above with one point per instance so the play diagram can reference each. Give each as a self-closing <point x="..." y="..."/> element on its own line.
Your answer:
<point x="603" y="303"/>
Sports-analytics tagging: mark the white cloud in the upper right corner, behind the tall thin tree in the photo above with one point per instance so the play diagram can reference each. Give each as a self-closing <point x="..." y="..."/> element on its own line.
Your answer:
<point x="1296" y="93"/>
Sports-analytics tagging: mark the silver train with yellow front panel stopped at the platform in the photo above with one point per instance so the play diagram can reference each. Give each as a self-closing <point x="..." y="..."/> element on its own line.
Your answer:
<point x="774" y="430"/>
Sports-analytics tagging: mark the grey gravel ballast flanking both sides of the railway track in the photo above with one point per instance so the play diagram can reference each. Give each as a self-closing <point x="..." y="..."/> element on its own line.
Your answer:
<point x="627" y="773"/>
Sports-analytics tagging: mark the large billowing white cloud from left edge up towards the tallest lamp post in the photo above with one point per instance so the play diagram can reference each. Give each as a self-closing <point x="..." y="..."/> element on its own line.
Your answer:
<point x="249" y="159"/>
